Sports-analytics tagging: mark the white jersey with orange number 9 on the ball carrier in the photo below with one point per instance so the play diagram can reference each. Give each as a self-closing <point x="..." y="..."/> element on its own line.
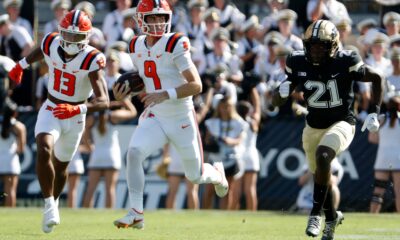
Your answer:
<point x="160" y="67"/>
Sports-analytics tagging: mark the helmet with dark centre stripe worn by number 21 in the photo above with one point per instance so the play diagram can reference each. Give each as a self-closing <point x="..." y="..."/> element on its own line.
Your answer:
<point x="321" y="42"/>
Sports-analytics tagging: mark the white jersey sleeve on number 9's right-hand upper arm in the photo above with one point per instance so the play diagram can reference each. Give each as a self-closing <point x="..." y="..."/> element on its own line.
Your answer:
<point x="181" y="54"/>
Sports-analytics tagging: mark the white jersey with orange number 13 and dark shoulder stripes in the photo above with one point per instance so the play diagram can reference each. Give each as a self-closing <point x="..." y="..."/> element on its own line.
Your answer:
<point x="69" y="80"/>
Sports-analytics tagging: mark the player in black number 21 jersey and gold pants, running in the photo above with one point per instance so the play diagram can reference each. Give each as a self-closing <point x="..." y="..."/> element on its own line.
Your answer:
<point x="326" y="76"/>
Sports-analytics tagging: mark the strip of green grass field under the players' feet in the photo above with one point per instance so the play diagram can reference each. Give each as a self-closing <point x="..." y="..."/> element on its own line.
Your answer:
<point x="25" y="223"/>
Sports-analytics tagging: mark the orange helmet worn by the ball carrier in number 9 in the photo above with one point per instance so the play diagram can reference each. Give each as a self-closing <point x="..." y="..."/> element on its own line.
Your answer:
<point x="154" y="7"/>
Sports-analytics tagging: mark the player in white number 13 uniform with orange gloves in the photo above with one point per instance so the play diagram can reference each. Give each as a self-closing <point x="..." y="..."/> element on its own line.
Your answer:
<point x="74" y="74"/>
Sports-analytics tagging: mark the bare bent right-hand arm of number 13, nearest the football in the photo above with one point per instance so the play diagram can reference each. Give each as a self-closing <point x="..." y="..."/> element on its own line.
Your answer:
<point x="101" y="101"/>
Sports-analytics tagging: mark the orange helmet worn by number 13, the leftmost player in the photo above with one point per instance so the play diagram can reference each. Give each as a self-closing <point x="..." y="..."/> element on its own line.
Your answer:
<point x="74" y="30"/>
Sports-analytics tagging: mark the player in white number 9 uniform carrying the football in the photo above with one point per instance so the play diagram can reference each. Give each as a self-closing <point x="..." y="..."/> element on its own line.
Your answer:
<point x="171" y="79"/>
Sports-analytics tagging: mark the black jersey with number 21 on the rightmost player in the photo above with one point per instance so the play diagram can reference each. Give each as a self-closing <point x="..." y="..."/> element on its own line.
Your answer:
<point x="328" y="90"/>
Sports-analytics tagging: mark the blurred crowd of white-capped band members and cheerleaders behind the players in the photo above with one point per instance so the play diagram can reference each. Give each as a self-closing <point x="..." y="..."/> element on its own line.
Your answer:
<point x="239" y="48"/>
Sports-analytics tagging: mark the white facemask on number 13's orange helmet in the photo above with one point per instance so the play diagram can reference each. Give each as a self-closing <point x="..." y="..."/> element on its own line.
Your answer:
<point x="72" y="42"/>
